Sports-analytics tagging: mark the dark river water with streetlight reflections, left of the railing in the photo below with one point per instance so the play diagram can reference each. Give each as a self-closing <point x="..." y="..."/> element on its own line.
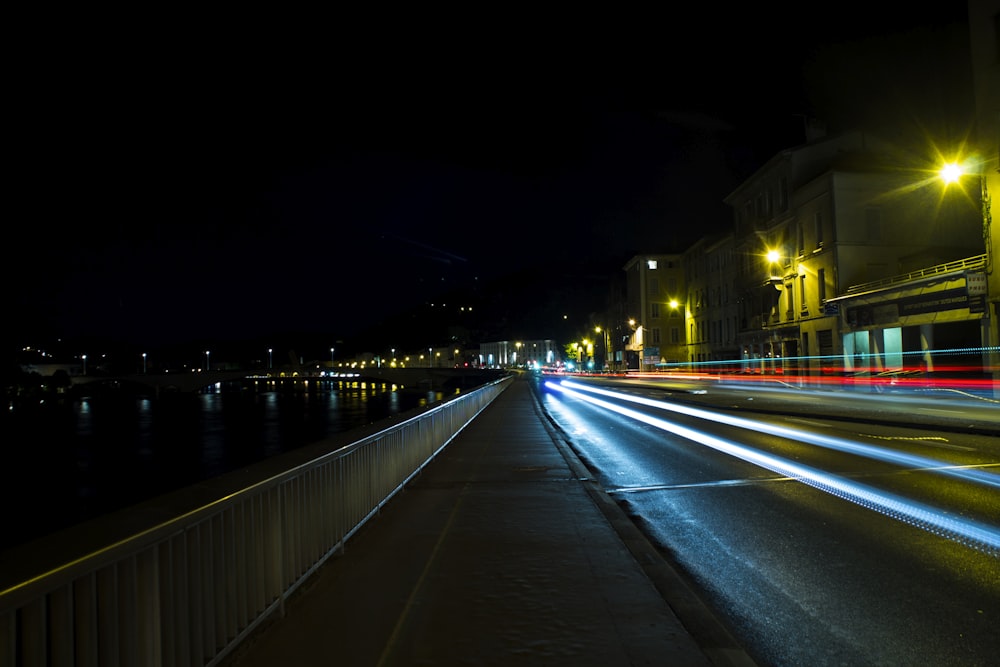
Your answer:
<point x="83" y="458"/>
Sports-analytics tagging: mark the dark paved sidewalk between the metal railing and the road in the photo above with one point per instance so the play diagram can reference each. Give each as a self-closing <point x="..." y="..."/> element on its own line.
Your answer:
<point x="502" y="552"/>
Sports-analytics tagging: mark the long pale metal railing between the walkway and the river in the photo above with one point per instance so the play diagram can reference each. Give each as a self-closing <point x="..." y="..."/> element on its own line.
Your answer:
<point x="186" y="591"/>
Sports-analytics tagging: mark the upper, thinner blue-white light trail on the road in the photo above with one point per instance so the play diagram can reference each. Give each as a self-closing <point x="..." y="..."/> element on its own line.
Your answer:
<point x="829" y="442"/>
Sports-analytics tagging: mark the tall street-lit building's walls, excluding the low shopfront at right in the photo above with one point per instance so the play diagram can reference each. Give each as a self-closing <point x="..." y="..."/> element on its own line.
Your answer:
<point x="850" y="219"/>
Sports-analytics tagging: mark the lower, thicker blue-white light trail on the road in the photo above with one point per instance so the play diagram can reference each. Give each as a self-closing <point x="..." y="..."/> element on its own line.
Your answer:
<point x="971" y="533"/>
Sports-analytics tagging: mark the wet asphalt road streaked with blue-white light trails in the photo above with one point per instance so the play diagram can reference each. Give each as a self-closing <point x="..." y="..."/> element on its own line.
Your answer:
<point x="825" y="528"/>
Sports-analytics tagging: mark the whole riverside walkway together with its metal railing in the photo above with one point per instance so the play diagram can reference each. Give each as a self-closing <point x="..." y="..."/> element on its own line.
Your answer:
<point x="512" y="553"/>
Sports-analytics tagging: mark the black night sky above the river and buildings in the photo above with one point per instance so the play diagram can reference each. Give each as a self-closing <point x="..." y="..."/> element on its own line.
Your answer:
<point x="174" y="185"/>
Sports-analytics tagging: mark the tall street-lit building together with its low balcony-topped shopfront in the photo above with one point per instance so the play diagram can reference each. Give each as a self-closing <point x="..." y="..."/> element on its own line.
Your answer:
<point x="832" y="221"/>
